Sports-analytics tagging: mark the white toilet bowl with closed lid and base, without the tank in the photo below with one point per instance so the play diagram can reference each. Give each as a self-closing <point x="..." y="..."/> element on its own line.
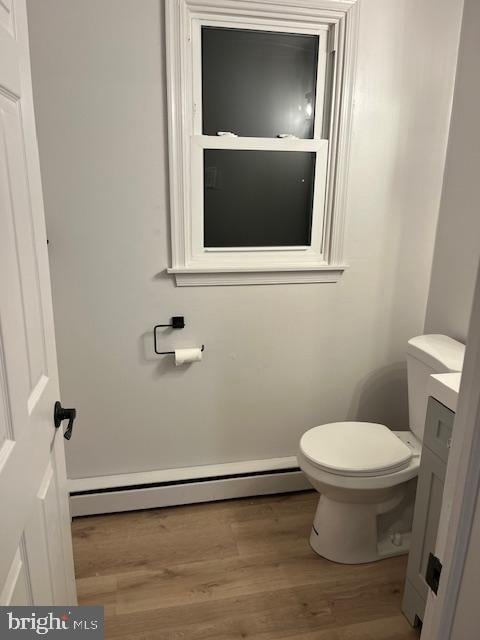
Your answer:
<point x="347" y="526"/>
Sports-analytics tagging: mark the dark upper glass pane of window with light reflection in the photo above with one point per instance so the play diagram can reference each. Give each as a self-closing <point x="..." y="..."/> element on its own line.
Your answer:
<point x="258" y="83"/>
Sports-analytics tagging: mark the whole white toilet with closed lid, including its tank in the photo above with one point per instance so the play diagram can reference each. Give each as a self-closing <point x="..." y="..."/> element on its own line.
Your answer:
<point x="366" y="474"/>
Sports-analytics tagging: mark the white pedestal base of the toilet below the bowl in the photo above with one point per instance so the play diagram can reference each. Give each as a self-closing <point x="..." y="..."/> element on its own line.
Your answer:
<point x="358" y="533"/>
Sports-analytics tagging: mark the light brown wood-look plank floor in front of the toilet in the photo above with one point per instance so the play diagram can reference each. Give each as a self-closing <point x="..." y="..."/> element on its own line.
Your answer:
<point x="231" y="570"/>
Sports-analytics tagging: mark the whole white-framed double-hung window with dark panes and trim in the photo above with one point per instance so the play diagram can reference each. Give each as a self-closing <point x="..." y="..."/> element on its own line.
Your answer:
<point x="259" y="110"/>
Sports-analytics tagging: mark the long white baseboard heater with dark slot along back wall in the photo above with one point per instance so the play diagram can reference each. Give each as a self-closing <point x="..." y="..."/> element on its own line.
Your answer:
<point x="128" y="492"/>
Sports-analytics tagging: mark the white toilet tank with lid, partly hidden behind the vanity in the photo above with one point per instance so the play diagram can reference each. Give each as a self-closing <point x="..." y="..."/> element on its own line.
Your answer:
<point x="426" y="355"/>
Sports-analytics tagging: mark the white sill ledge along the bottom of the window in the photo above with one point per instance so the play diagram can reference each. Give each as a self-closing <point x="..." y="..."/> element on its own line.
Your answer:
<point x="221" y="276"/>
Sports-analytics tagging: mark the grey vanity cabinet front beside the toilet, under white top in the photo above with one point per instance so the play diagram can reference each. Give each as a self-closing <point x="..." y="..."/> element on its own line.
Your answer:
<point x="436" y="445"/>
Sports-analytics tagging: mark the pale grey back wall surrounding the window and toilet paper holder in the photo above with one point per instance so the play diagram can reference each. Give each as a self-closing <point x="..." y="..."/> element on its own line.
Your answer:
<point x="279" y="359"/>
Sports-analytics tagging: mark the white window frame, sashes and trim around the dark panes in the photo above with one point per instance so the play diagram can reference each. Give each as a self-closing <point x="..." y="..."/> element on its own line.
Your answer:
<point x="335" y="23"/>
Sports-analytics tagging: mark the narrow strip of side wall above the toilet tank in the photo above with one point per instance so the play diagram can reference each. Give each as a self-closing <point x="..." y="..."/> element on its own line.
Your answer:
<point x="457" y="247"/>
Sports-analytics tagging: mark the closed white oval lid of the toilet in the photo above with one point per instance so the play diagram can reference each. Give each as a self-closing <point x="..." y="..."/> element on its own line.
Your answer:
<point x="355" y="449"/>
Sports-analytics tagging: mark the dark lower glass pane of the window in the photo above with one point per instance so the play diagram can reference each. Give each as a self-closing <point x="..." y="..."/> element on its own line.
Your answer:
<point x="258" y="198"/>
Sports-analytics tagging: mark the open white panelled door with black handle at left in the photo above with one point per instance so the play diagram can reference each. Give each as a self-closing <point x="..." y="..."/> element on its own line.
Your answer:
<point x="36" y="564"/>
